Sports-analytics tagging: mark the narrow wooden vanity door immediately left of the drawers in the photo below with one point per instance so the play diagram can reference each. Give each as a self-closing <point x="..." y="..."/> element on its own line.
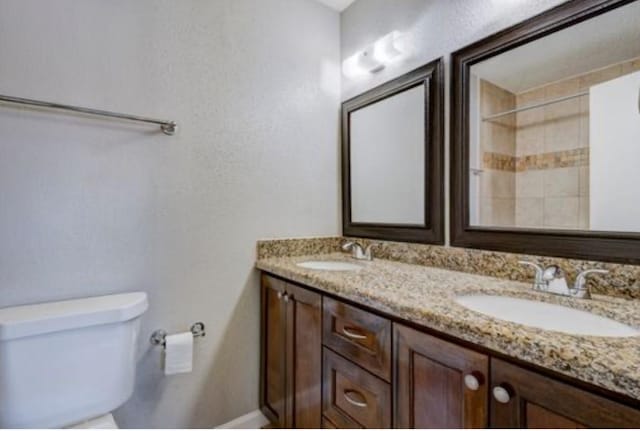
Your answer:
<point x="304" y="358"/>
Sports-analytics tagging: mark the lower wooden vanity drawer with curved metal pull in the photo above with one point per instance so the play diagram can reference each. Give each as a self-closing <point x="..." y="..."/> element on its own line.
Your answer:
<point x="352" y="397"/>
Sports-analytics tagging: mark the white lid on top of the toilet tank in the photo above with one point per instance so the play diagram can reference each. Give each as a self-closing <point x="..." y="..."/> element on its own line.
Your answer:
<point x="36" y="319"/>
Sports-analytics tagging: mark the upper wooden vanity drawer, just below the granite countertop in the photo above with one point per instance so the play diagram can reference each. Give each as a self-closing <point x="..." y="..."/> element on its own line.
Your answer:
<point x="358" y="335"/>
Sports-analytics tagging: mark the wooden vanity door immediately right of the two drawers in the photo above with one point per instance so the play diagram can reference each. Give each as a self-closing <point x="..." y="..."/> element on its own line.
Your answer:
<point x="438" y="384"/>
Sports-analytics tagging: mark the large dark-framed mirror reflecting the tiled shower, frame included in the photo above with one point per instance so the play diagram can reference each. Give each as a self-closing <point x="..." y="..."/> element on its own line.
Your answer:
<point x="545" y="126"/>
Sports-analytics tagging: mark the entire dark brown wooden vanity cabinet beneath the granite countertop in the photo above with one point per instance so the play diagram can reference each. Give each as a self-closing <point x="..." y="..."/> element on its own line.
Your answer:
<point x="379" y="373"/>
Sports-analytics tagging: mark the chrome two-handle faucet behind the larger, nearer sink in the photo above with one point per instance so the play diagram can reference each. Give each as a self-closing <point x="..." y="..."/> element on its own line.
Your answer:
<point x="552" y="280"/>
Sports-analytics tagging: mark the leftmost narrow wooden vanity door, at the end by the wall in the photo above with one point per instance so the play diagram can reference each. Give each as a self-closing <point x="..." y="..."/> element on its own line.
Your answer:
<point x="273" y="350"/>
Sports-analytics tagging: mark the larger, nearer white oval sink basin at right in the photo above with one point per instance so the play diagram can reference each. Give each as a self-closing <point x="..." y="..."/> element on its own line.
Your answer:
<point x="546" y="316"/>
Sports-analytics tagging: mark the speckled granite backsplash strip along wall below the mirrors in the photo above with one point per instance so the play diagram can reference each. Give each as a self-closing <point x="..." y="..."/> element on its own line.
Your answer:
<point x="622" y="281"/>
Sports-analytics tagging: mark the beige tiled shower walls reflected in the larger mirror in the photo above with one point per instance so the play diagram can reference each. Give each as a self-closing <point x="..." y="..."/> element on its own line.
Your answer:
<point x="550" y="150"/>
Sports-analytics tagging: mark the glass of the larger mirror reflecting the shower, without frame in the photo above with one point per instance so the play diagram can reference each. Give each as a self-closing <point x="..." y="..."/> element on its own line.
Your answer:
<point x="554" y="130"/>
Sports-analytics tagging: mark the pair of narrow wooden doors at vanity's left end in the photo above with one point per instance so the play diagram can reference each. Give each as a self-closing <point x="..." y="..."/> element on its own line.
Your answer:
<point x="291" y="354"/>
